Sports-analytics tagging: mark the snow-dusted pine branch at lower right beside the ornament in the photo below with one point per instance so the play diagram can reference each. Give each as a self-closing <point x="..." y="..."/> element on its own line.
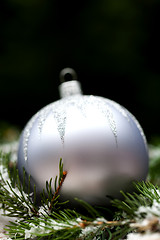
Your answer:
<point x="140" y="210"/>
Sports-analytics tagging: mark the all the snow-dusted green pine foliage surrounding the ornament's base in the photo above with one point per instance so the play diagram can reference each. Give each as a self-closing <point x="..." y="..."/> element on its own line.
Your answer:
<point x="134" y="217"/>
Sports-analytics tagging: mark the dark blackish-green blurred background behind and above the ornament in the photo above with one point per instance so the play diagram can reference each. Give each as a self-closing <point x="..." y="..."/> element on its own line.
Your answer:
<point x="113" y="46"/>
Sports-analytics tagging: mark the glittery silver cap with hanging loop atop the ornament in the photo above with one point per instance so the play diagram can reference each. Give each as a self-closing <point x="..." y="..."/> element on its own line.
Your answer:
<point x="69" y="86"/>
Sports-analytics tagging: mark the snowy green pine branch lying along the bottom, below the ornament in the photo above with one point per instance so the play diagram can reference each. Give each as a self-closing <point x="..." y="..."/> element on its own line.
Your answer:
<point x="62" y="225"/>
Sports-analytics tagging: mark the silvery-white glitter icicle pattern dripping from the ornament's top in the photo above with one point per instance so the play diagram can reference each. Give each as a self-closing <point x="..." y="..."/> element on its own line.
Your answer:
<point x="59" y="110"/>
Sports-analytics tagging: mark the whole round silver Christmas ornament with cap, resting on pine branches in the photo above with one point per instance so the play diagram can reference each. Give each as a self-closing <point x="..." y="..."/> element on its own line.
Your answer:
<point x="102" y="145"/>
